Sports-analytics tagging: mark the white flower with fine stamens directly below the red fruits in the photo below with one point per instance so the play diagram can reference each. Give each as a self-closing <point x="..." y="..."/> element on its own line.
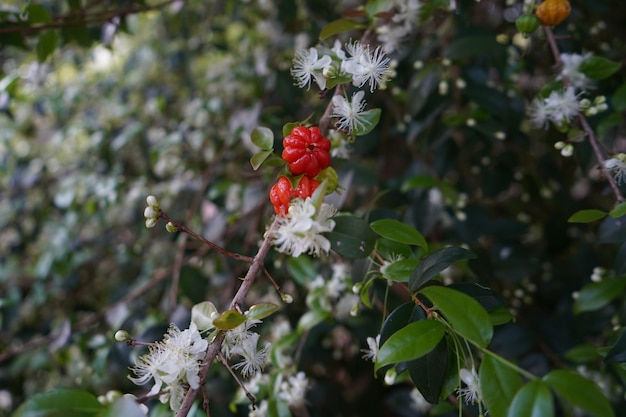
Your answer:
<point x="300" y="231"/>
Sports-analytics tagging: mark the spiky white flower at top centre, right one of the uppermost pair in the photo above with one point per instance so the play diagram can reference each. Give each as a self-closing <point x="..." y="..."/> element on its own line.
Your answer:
<point x="365" y="66"/>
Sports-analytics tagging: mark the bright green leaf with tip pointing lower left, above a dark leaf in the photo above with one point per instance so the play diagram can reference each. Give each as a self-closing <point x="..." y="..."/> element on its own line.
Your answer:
<point x="412" y="341"/>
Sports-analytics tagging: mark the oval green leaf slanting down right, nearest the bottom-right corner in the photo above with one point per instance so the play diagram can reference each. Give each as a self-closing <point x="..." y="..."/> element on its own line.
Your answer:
<point x="580" y="392"/>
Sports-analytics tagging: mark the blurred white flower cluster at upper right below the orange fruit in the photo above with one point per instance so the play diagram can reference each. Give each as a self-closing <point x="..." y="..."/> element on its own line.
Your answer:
<point x="560" y="107"/>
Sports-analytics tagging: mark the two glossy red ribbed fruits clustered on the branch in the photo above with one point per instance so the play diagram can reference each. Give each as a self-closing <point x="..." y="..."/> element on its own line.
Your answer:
<point x="307" y="153"/>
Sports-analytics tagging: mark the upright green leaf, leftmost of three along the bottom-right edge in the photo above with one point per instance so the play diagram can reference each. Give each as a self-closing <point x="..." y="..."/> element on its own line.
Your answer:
<point x="498" y="385"/>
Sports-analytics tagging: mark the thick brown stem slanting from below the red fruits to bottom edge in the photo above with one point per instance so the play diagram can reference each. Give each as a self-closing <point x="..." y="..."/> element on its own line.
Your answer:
<point x="216" y="345"/>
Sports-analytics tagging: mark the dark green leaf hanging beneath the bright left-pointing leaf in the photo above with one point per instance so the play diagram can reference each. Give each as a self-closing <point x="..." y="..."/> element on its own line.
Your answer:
<point x="429" y="372"/>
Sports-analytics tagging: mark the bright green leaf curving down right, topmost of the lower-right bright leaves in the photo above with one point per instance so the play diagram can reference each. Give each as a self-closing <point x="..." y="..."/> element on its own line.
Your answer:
<point x="466" y="316"/>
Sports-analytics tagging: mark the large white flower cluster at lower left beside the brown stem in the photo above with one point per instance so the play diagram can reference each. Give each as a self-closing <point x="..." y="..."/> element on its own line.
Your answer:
<point x="173" y="364"/>
